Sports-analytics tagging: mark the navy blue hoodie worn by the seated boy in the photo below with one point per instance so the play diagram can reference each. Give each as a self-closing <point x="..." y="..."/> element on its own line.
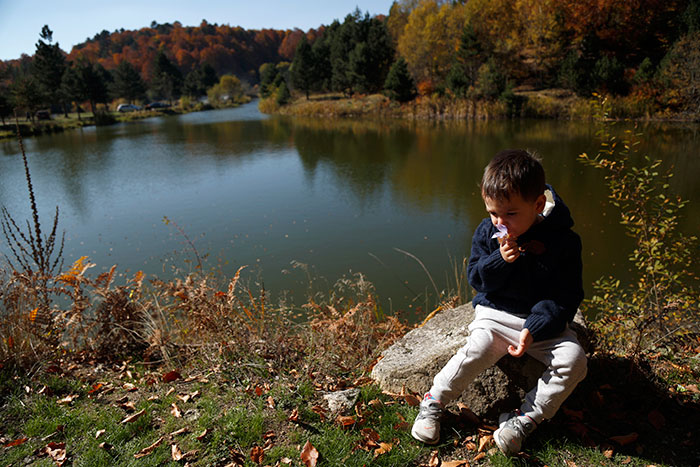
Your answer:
<point x="543" y="285"/>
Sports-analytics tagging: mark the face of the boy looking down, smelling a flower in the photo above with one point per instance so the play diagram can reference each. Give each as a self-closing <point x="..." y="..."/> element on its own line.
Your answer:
<point x="516" y="213"/>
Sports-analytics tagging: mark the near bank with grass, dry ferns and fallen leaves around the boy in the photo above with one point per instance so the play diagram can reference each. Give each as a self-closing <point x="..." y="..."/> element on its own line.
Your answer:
<point x="207" y="372"/>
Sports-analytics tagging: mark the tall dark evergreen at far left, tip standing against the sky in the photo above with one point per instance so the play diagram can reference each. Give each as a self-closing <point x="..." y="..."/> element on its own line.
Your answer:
<point x="49" y="65"/>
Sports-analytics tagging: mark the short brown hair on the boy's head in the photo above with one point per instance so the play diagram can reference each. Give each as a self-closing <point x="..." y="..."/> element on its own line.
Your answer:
<point x="513" y="171"/>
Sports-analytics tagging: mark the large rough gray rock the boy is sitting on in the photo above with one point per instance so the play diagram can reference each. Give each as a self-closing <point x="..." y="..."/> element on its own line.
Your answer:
<point x="413" y="361"/>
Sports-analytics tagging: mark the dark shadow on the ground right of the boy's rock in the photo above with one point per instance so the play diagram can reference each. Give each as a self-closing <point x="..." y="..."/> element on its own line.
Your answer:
<point x="617" y="416"/>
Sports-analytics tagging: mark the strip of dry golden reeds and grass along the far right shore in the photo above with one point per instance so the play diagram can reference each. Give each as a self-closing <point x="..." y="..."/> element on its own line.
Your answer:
<point x="548" y="103"/>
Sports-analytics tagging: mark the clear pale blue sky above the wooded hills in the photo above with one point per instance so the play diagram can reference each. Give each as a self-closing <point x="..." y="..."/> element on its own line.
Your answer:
<point x="73" y="21"/>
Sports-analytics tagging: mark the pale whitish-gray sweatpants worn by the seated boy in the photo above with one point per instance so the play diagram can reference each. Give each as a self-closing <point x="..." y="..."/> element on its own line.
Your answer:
<point x="491" y="332"/>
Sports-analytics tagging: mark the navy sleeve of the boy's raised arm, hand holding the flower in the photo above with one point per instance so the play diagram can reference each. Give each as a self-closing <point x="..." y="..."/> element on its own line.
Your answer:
<point x="487" y="270"/>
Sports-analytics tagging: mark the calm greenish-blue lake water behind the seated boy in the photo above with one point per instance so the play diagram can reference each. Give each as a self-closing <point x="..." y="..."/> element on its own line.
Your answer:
<point x="339" y="197"/>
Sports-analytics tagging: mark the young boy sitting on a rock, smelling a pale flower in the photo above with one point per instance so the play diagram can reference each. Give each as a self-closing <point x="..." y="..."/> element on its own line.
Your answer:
<point x="526" y="266"/>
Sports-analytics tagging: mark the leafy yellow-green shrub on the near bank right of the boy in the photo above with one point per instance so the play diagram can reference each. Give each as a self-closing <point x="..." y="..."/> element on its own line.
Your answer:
<point x="659" y="306"/>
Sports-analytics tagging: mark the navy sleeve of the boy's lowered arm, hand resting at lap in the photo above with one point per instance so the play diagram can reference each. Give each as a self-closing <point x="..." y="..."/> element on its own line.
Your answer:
<point x="549" y="317"/>
